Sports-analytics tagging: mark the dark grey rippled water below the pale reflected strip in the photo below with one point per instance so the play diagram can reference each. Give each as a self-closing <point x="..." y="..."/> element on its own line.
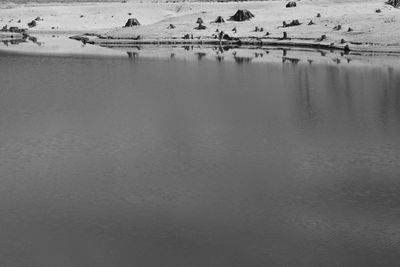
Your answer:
<point x="111" y="162"/>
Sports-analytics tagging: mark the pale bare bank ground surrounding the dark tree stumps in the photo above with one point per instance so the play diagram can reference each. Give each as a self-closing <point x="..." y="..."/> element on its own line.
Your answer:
<point x="372" y="31"/>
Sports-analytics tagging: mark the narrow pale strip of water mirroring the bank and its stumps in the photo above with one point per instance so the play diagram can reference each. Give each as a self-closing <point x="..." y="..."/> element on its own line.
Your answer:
<point x="63" y="46"/>
